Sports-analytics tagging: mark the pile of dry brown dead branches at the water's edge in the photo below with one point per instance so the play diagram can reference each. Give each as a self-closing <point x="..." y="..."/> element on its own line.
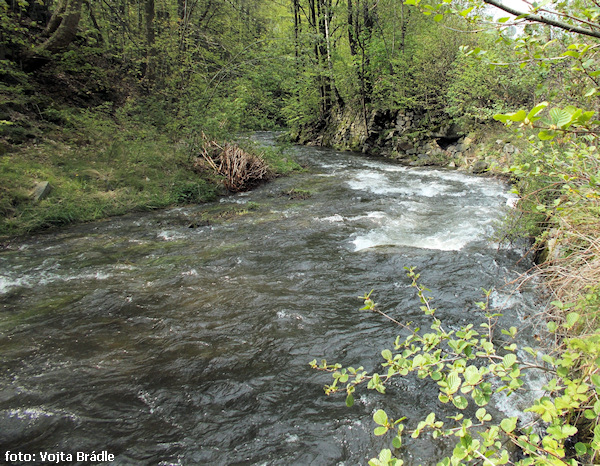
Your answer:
<point x="239" y="169"/>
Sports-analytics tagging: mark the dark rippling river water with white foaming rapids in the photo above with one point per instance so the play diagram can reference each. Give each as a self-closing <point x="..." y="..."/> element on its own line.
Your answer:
<point x="164" y="338"/>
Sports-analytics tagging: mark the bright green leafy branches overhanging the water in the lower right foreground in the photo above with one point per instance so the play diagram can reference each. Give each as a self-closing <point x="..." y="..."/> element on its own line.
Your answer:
<point x="469" y="367"/>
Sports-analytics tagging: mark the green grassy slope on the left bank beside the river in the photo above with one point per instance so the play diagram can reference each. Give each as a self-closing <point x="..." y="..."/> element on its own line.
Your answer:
<point x="98" y="168"/>
